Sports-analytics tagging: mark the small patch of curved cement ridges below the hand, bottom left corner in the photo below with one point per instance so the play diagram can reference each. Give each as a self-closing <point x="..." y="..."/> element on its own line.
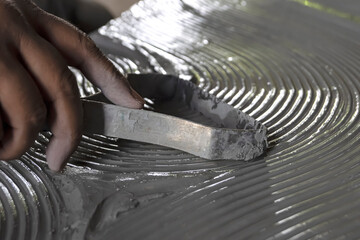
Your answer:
<point x="30" y="203"/>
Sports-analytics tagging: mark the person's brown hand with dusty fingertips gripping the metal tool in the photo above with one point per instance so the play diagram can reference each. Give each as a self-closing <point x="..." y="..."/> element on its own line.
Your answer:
<point x="36" y="86"/>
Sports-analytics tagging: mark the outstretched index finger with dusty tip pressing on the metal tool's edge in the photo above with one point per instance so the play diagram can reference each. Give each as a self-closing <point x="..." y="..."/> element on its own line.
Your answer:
<point x="81" y="52"/>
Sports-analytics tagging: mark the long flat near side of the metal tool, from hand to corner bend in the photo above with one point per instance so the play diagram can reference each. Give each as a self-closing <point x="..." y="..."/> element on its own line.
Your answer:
<point x="146" y="126"/>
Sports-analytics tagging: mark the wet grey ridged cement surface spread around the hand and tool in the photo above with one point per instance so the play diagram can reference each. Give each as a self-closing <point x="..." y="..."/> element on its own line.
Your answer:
<point x="289" y="64"/>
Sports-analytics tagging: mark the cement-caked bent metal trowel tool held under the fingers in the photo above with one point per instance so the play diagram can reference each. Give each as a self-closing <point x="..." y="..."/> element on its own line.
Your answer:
<point x="180" y="115"/>
